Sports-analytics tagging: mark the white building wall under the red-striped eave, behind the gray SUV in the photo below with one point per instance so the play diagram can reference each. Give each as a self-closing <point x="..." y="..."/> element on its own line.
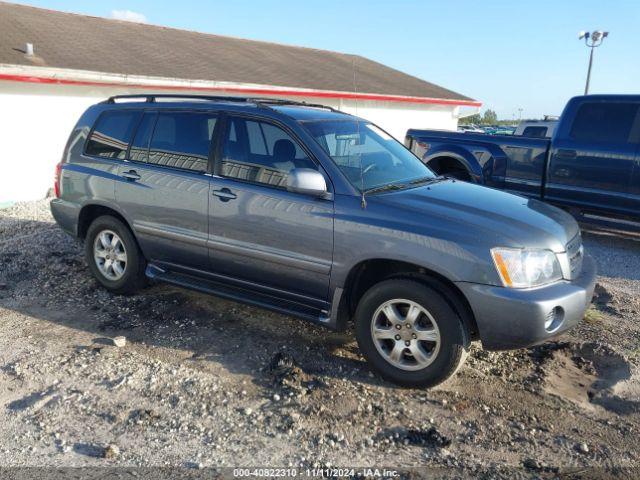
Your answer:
<point x="35" y="122"/>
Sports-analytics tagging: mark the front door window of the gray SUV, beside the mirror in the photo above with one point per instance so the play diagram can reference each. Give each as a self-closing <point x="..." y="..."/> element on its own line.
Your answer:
<point x="259" y="152"/>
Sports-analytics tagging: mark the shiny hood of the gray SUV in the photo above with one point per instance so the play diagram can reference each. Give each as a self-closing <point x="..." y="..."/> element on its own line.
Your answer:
<point x="484" y="215"/>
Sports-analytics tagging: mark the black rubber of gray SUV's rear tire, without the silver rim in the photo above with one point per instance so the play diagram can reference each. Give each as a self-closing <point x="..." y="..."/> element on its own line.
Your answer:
<point x="132" y="278"/>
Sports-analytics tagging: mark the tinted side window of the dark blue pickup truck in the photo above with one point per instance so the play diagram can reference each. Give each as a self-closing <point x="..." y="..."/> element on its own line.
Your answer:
<point x="604" y="122"/>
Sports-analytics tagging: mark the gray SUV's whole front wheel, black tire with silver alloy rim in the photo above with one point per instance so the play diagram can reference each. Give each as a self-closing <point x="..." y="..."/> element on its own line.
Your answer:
<point x="441" y="348"/>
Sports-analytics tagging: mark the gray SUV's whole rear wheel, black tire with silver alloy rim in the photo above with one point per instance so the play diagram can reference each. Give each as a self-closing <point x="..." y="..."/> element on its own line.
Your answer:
<point x="126" y="274"/>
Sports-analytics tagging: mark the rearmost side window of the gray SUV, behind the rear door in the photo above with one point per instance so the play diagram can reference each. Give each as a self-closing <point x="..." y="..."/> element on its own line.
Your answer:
<point x="112" y="134"/>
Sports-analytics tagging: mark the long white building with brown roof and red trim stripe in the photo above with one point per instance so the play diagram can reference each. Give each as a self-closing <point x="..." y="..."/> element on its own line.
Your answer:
<point x="53" y="65"/>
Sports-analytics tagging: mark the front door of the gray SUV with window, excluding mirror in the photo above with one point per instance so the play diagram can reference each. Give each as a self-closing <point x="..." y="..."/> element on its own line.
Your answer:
<point x="261" y="234"/>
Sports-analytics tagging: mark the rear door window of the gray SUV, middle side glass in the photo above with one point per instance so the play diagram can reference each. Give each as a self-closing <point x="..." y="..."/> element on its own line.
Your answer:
<point x="182" y="140"/>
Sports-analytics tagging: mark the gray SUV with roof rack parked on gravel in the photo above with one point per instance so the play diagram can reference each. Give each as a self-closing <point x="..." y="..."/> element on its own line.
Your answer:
<point x="321" y="215"/>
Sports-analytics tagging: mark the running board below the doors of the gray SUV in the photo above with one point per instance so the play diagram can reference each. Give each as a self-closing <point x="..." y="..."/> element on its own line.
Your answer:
<point x="249" y="297"/>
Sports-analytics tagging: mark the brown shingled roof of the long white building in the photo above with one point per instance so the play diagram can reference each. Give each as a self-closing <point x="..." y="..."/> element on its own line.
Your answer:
<point x="79" y="42"/>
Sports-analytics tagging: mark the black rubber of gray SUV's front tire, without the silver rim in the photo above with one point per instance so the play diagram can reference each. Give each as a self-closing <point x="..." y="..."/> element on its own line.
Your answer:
<point x="453" y="337"/>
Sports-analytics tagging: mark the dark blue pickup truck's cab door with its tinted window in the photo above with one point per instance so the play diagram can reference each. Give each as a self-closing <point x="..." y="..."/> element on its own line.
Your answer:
<point x="592" y="161"/>
